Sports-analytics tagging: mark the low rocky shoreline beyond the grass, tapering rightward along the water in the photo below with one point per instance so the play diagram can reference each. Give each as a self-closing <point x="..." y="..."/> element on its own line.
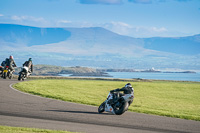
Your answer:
<point x="78" y="71"/>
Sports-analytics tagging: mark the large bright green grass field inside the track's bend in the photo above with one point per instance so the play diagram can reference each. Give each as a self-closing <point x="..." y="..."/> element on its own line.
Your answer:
<point x="173" y="99"/>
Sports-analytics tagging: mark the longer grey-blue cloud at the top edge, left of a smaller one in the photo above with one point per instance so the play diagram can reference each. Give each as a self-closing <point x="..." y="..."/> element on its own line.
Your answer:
<point x="105" y="2"/>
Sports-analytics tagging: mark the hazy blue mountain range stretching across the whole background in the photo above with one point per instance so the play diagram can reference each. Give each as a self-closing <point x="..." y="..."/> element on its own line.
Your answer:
<point x="97" y="47"/>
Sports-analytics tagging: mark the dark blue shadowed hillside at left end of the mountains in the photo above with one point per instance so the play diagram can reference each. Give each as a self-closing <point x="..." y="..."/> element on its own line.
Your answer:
<point x="18" y="35"/>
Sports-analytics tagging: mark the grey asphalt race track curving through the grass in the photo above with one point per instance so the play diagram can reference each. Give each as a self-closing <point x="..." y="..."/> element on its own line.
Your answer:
<point x="24" y="110"/>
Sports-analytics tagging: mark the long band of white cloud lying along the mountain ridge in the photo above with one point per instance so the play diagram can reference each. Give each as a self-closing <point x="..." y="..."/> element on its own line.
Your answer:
<point x="119" y="27"/>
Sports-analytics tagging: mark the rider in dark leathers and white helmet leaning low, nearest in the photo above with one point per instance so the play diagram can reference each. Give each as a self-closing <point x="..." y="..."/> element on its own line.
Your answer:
<point x="127" y="89"/>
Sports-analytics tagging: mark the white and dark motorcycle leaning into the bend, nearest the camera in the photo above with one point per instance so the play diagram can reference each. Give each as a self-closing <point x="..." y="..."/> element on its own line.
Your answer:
<point x="116" y="104"/>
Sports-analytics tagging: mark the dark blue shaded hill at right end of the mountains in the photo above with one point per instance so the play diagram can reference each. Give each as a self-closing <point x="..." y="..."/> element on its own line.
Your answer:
<point x="180" y="45"/>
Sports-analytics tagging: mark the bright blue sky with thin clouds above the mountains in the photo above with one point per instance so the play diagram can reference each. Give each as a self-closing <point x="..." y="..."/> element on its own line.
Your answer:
<point x="136" y="18"/>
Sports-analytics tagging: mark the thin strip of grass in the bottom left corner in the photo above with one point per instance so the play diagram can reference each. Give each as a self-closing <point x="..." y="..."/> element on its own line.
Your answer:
<point x="7" y="129"/>
